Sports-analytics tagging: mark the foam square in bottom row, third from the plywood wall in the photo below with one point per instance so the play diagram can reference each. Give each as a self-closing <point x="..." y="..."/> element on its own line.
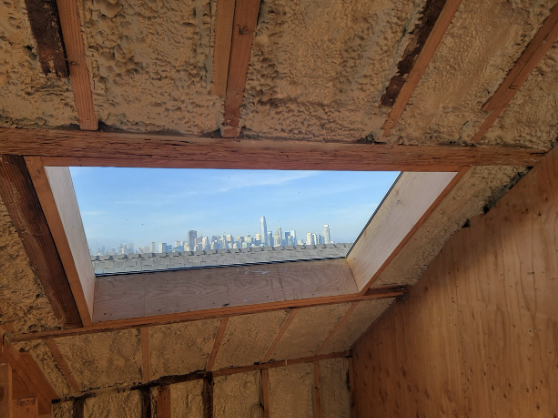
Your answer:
<point x="238" y="395"/>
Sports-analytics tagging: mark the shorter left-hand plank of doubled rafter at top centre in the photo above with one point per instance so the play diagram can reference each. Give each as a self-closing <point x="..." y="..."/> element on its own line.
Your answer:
<point x="222" y="50"/>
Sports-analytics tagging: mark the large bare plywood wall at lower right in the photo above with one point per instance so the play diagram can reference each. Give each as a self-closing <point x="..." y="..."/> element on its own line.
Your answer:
<point x="478" y="336"/>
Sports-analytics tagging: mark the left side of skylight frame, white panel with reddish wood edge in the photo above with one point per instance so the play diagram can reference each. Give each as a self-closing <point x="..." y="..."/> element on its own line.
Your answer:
<point x="55" y="190"/>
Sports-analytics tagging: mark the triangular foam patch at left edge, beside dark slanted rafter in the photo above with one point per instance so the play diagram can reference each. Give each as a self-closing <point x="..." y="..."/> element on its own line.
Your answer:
<point x="23" y="303"/>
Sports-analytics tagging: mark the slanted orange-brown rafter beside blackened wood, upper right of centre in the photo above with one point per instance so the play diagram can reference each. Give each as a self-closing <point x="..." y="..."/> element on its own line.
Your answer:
<point x="421" y="63"/>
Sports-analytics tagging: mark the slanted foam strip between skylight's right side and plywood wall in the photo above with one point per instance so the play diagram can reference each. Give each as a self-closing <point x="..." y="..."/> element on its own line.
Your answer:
<point x="479" y="187"/>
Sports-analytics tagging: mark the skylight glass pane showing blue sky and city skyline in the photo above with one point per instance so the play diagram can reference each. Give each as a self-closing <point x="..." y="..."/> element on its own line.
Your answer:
<point x="146" y="219"/>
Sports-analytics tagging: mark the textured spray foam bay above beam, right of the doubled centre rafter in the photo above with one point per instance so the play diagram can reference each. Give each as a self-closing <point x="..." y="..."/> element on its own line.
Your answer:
<point x="319" y="68"/>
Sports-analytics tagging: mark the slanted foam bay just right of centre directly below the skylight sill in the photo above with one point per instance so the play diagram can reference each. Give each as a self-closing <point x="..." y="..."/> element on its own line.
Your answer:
<point x="248" y="337"/>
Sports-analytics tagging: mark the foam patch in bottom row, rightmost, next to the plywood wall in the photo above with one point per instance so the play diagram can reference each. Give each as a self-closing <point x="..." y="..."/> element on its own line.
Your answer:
<point x="335" y="394"/>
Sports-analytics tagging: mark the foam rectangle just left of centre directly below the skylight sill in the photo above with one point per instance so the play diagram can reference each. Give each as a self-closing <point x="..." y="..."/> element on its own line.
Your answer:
<point x="182" y="348"/>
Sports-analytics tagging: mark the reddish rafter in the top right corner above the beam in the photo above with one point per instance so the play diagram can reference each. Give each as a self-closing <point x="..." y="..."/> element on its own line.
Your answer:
<point x="535" y="51"/>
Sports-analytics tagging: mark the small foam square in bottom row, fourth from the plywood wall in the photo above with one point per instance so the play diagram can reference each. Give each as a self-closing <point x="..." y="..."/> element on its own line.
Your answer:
<point x="187" y="399"/>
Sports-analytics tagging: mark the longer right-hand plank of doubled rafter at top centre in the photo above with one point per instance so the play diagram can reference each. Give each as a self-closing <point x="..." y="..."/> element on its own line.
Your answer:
<point x="244" y="25"/>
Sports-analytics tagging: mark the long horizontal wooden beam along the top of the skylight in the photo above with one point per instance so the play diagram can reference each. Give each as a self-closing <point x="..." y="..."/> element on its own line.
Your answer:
<point x="81" y="148"/>
